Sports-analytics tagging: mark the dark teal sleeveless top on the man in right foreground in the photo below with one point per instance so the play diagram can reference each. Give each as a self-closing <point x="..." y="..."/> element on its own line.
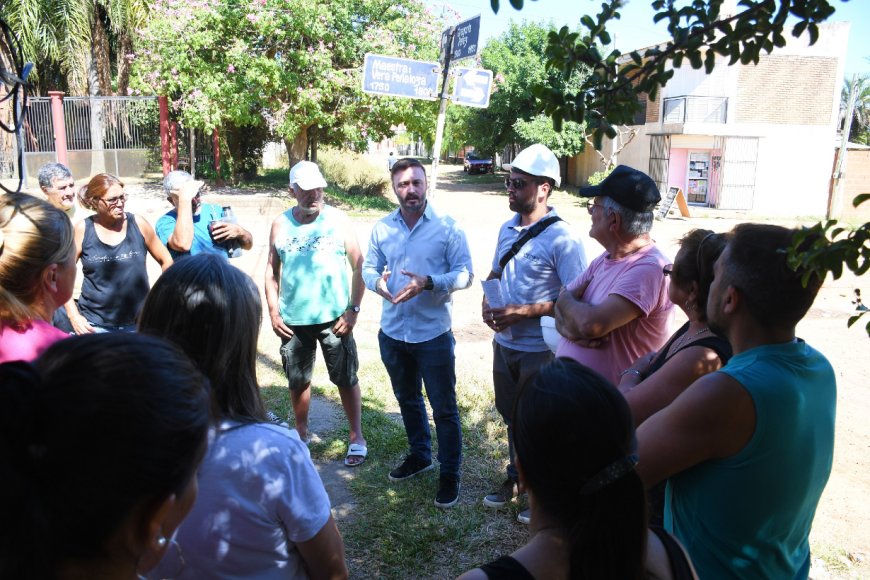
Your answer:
<point x="749" y="515"/>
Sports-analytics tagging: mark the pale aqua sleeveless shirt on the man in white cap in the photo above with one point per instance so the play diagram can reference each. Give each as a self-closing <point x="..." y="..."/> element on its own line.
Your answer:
<point x="315" y="280"/>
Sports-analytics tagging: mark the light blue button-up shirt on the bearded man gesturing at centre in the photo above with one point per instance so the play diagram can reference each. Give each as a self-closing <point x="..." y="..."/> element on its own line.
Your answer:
<point x="436" y="247"/>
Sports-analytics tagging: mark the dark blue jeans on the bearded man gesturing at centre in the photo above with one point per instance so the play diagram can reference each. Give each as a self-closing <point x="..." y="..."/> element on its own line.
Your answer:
<point x="433" y="363"/>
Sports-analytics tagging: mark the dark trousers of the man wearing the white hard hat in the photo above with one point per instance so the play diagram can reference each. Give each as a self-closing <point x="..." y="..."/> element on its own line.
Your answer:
<point x="511" y="371"/>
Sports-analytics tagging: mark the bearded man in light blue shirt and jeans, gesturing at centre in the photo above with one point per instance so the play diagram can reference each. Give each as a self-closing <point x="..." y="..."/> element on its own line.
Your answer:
<point x="417" y="257"/>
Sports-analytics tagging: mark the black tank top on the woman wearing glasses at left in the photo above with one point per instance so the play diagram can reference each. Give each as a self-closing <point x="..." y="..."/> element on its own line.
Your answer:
<point x="115" y="278"/>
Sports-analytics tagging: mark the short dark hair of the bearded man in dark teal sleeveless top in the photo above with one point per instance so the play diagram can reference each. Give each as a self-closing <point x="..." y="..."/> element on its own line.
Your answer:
<point x="757" y="266"/>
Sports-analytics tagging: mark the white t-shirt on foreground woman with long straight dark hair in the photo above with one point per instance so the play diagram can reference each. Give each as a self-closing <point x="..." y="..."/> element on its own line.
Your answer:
<point x="259" y="494"/>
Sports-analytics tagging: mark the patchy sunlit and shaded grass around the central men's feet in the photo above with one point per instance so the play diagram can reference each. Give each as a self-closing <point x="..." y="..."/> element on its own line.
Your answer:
<point x="395" y="531"/>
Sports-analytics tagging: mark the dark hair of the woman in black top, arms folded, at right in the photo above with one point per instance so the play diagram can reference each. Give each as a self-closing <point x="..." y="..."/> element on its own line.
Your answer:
<point x="700" y="249"/>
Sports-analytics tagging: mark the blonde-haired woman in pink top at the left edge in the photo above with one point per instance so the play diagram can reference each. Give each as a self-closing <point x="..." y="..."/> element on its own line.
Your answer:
<point x="37" y="273"/>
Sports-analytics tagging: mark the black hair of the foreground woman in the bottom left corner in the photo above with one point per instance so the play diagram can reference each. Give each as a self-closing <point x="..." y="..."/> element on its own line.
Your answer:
<point x="98" y="427"/>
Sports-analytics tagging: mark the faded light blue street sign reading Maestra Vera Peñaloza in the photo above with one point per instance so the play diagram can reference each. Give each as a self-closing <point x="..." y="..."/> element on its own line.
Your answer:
<point x="400" y="77"/>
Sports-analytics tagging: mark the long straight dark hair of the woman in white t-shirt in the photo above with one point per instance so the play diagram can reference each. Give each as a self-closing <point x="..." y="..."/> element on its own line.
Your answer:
<point x="212" y="310"/>
